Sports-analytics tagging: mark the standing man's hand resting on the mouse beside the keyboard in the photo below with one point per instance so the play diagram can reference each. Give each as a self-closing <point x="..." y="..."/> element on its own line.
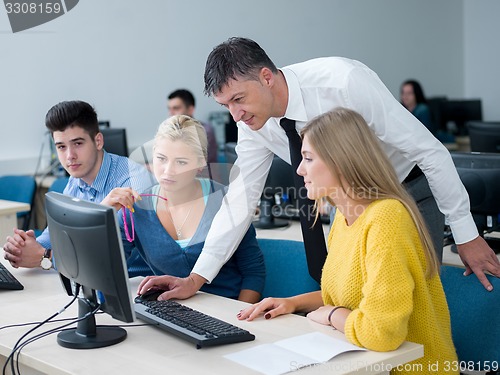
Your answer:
<point x="176" y="287"/>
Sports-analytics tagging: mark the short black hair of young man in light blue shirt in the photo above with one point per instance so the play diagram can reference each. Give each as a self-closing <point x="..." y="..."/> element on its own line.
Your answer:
<point x="72" y="113"/>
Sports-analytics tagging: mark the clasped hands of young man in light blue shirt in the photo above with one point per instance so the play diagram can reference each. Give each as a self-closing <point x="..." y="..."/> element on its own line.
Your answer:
<point x="22" y="250"/>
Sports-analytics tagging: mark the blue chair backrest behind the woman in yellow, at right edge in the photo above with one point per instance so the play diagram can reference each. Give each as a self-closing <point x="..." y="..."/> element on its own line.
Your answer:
<point x="475" y="317"/>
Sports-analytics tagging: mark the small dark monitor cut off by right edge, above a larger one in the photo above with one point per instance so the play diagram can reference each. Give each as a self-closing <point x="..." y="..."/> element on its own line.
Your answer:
<point x="484" y="136"/>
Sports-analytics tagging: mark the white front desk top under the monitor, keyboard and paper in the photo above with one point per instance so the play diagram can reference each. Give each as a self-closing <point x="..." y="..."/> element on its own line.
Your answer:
<point x="149" y="350"/>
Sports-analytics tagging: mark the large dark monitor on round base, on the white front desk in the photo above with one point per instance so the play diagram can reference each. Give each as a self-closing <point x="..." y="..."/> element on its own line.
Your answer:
<point x="87" y="250"/>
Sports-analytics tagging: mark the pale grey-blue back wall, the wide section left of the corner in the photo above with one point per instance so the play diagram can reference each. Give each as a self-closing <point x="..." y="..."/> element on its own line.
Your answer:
<point x="124" y="56"/>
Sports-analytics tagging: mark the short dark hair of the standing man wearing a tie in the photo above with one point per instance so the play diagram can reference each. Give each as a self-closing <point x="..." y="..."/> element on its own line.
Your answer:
<point x="236" y="57"/>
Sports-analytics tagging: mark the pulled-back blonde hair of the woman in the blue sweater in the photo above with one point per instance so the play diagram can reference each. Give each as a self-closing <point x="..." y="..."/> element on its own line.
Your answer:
<point x="186" y="129"/>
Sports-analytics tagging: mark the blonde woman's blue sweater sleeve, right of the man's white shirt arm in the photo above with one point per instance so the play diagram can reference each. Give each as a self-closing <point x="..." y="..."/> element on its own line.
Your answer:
<point x="250" y="262"/>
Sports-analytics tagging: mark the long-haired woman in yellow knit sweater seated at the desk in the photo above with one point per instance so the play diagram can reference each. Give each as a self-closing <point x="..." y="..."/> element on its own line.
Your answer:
<point x="380" y="282"/>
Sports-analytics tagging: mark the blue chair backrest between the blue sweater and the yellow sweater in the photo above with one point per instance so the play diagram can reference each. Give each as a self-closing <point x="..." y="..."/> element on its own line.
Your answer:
<point x="286" y="268"/>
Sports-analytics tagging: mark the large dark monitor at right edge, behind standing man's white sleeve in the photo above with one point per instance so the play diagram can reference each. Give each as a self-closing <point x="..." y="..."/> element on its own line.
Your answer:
<point x="480" y="174"/>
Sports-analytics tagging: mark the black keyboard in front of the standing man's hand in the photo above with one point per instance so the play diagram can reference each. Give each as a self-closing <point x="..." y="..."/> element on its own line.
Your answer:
<point x="191" y="325"/>
